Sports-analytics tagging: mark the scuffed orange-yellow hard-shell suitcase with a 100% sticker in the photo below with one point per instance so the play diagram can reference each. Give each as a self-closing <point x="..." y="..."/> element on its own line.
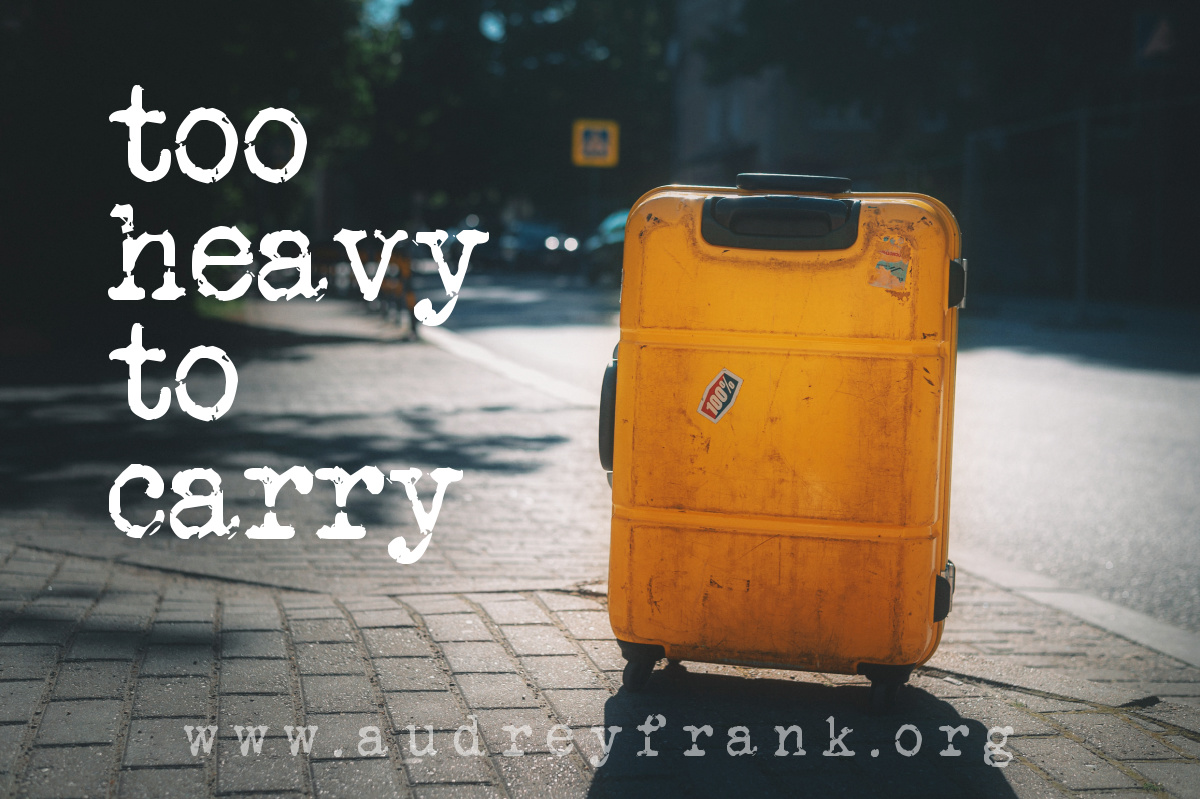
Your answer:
<point x="778" y="422"/>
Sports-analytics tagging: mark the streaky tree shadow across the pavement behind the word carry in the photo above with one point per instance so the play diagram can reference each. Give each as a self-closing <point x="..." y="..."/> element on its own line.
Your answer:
<point x="64" y="452"/>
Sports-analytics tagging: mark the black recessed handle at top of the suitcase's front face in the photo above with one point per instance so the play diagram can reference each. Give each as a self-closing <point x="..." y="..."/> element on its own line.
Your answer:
<point x="781" y="223"/>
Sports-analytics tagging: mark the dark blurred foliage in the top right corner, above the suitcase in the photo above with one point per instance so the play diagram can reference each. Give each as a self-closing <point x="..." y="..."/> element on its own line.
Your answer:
<point x="977" y="64"/>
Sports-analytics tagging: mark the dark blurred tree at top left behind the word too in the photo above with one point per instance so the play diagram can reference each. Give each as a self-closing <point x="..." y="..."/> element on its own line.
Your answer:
<point x="67" y="67"/>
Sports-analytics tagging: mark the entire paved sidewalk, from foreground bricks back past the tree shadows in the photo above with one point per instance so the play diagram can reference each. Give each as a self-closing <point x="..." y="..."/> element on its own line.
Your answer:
<point x="112" y="648"/>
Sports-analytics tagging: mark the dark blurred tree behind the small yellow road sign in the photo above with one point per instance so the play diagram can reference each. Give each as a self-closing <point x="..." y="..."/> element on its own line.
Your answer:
<point x="483" y="110"/>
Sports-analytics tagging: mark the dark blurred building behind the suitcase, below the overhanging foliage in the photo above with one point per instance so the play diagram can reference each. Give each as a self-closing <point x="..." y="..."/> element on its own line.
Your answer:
<point x="1049" y="205"/>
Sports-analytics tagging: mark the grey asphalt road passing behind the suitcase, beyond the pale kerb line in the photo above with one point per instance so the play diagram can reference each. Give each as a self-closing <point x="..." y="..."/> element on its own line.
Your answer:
<point x="1077" y="447"/>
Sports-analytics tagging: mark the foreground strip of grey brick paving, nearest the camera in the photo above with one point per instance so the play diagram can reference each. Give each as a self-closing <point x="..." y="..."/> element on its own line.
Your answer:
<point x="104" y="665"/>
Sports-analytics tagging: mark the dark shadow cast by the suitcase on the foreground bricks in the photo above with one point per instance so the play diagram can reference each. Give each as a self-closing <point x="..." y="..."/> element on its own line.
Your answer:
<point x="686" y="699"/>
